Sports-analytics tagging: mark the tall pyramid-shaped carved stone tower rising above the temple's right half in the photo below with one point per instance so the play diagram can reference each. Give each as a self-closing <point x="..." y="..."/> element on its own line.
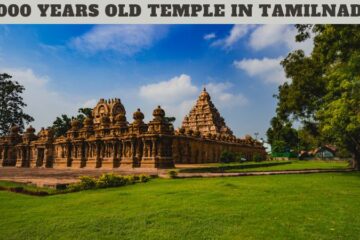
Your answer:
<point x="204" y="117"/>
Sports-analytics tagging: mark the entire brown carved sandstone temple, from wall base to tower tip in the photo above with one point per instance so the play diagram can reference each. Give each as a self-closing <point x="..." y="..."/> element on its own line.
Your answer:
<point x="107" y="140"/>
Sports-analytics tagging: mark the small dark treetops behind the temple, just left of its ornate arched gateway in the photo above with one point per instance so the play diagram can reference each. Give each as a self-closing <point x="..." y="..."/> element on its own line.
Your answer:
<point x="63" y="123"/>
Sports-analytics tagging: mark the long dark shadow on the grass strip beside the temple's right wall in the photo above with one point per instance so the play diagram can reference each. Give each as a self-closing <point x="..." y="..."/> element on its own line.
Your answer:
<point x="224" y="168"/>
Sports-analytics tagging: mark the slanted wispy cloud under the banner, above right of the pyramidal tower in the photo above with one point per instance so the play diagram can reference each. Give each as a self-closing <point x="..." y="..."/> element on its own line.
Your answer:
<point x="236" y="33"/>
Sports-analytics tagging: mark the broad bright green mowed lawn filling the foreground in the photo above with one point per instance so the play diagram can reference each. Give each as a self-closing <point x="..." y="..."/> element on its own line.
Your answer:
<point x="311" y="206"/>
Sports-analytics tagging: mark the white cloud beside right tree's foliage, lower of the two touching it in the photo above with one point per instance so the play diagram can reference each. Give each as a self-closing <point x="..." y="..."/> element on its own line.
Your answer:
<point x="267" y="69"/>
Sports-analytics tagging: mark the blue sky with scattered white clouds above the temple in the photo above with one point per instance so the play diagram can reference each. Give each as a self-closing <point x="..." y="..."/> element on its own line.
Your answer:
<point x="64" y="67"/>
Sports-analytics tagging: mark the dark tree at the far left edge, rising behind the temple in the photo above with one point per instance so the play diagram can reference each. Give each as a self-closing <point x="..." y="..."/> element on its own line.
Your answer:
<point x="11" y="105"/>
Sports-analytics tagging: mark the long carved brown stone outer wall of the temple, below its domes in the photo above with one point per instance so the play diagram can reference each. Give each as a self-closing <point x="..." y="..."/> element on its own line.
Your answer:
<point x="142" y="152"/>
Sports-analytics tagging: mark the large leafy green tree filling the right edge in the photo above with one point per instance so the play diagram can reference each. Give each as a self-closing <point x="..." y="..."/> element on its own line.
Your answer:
<point x="325" y="86"/>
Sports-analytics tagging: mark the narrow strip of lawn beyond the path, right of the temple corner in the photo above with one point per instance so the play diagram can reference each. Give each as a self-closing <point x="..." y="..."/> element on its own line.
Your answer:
<point x="269" y="166"/>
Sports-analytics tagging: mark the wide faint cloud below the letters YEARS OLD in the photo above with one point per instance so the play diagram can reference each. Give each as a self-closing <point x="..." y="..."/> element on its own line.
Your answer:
<point x="123" y="39"/>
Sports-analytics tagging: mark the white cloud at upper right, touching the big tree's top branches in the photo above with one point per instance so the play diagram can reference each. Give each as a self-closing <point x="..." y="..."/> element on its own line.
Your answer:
<point x="266" y="36"/>
